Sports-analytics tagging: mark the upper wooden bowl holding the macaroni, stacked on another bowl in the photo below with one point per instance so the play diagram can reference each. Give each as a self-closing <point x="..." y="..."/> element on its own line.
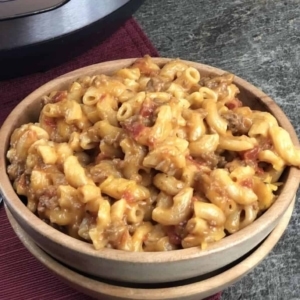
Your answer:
<point x="143" y="267"/>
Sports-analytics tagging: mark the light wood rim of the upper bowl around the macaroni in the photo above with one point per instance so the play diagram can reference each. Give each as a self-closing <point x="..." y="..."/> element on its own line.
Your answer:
<point x="269" y="217"/>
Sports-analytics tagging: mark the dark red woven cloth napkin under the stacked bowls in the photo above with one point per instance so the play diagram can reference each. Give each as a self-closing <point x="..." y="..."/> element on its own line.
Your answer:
<point x="21" y="275"/>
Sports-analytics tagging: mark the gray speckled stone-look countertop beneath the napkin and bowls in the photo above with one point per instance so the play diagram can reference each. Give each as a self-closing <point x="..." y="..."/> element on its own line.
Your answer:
<point x="258" y="40"/>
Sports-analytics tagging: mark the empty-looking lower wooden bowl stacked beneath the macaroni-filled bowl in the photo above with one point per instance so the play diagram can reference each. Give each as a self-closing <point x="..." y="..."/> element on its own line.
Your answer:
<point x="191" y="289"/>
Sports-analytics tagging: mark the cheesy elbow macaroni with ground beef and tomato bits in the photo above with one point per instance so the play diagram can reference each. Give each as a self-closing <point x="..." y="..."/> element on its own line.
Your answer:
<point x="151" y="158"/>
